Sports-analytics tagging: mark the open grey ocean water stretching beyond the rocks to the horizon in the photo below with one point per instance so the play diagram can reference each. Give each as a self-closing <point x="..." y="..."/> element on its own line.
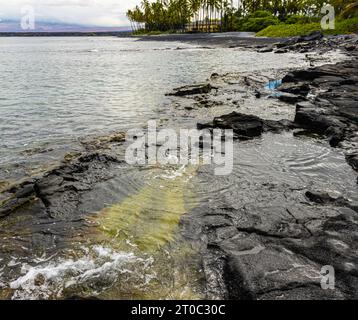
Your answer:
<point x="56" y="90"/>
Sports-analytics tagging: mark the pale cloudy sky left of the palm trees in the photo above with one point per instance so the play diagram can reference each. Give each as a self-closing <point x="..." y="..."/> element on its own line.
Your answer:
<point x="101" y="13"/>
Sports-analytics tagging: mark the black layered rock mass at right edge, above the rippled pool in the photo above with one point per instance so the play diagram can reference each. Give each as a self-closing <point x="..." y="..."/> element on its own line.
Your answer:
<point x="334" y="111"/>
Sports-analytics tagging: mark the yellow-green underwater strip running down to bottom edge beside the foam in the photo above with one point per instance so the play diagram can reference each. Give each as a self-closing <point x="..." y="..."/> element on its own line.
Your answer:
<point x="147" y="224"/>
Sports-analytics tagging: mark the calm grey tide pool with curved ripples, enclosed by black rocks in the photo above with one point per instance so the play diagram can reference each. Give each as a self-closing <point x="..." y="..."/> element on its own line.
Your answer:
<point x="283" y="163"/>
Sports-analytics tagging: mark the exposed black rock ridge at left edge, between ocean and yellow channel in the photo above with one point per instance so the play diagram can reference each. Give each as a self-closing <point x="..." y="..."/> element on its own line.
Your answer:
<point x="59" y="190"/>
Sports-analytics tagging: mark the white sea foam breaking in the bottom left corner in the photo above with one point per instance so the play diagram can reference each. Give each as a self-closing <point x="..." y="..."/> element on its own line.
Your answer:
<point x="96" y="270"/>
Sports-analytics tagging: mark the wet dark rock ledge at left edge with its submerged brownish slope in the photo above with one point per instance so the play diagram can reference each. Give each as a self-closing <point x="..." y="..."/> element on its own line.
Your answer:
<point x="44" y="212"/>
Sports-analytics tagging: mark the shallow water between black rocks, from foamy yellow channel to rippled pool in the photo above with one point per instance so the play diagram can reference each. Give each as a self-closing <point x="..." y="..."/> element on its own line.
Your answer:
<point x="134" y="248"/>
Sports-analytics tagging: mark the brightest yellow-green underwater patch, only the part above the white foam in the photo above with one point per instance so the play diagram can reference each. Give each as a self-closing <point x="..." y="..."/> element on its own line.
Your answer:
<point x="150" y="218"/>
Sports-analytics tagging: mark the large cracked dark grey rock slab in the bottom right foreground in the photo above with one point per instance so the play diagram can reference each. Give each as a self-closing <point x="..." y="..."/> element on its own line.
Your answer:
<point x="278" y="252"/>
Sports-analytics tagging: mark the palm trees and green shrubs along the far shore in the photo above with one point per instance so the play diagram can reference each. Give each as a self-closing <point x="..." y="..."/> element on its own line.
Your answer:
<point x="277" y="17"/>
